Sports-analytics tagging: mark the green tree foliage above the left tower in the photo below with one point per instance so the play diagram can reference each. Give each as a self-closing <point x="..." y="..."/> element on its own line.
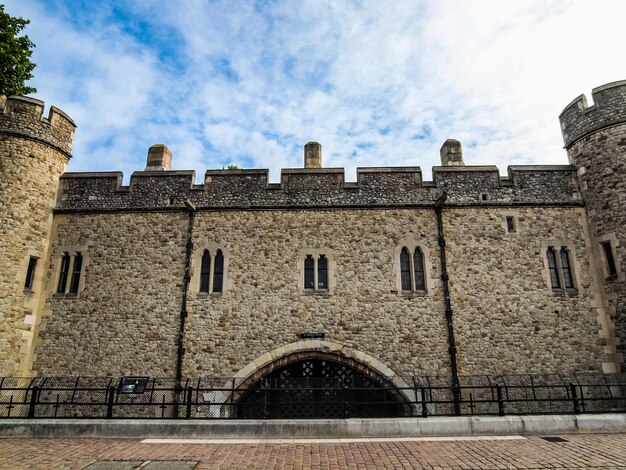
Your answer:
<point x="15" y="52"/>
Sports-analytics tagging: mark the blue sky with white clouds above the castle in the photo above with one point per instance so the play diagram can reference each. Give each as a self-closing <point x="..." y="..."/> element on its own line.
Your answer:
<point x="377" y="83"/>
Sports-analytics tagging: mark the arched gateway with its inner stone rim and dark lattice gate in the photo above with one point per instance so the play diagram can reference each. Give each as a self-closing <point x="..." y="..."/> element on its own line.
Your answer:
<point x="318" y="384"/>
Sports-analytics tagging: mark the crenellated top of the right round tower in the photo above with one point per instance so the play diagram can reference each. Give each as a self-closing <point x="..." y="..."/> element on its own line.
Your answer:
<point x="579" y="119"/>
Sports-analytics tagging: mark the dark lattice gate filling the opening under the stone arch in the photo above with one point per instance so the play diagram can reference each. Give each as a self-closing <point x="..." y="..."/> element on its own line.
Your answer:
<point x="319" y="388"/>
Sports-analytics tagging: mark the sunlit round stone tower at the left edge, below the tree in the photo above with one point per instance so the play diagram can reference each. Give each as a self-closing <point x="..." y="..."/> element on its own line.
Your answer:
<point x="34" y="151"/>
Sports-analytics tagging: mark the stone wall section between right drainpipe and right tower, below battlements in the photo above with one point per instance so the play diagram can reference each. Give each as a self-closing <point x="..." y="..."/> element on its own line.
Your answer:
<point x="507" y="318"/>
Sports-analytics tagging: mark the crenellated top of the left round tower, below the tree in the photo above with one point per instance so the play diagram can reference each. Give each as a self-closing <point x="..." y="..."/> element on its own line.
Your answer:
<point x="23" y="117"/>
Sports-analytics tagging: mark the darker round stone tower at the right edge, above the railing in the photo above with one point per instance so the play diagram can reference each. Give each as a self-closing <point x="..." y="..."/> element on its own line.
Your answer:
<point x="595" y="140"/>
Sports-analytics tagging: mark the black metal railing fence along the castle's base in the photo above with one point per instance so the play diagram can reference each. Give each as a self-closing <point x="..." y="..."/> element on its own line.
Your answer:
<point x="211" y="398"/>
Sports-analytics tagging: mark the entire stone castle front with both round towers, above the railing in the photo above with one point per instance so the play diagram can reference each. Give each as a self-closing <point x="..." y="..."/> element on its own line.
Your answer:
<point x="125" y="317"/>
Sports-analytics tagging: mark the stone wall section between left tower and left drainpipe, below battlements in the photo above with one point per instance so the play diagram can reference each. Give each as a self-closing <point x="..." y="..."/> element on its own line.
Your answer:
<point x="125" y="319"/>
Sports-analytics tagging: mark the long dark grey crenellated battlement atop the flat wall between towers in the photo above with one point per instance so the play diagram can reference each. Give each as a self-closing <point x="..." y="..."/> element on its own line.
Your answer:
<point x="306" y="188"/>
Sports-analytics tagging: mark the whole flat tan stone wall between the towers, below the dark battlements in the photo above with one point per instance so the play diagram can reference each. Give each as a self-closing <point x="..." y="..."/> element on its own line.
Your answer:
<point x="507" y="319"/>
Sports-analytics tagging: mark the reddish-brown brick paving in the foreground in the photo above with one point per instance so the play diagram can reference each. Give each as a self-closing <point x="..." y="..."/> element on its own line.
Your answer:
<point x="576" y="451"/>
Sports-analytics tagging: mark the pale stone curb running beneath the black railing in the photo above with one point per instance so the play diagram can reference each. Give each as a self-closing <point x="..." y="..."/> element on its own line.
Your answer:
<point x="316" y="428"/>
